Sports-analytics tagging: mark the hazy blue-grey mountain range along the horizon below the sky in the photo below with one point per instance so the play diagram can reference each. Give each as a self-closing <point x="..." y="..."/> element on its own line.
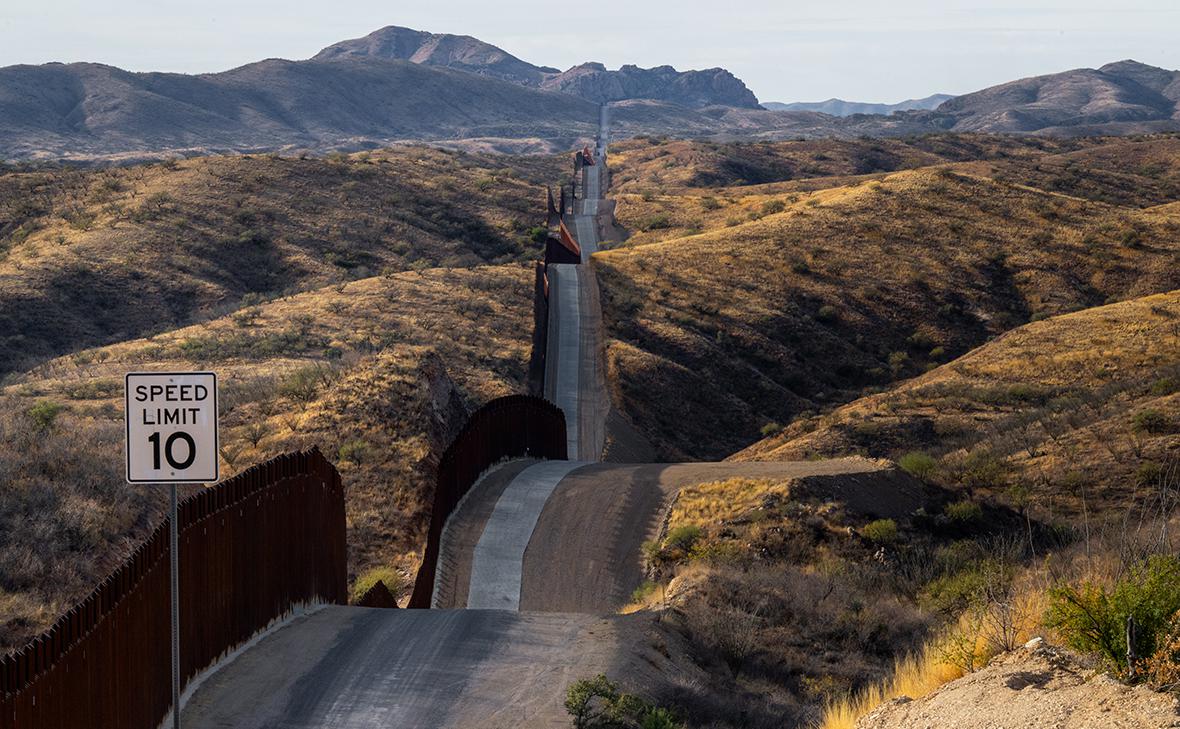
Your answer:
<point x="398" y="86"/>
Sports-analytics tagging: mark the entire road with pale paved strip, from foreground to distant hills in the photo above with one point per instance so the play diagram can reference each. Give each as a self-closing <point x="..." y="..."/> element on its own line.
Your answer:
<point x="533" y="567"/>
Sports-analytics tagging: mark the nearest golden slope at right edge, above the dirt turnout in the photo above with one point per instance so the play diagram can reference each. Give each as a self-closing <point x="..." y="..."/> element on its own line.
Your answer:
<point x="1057" y="408"/>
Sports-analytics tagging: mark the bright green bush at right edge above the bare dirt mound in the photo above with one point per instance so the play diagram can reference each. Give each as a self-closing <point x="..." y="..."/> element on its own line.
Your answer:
<point x="1092" y="616"/>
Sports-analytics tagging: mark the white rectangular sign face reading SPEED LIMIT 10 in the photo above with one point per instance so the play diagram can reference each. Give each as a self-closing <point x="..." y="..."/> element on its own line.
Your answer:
<point x="172" y="428"/>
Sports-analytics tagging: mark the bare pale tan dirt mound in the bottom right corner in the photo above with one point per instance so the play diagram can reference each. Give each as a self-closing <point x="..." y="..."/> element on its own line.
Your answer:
<point x="1037" y="686"/>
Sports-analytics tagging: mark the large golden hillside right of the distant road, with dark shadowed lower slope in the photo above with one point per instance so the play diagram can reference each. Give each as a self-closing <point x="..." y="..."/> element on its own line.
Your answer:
<point x="765" y="304"/>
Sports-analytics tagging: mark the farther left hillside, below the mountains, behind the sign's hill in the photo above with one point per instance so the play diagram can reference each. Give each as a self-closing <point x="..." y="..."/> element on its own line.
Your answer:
<point x="91" y="258"/>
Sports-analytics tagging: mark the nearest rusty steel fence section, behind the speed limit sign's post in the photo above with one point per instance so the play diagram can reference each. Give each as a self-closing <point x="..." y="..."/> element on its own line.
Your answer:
<point x="253" y="549"/>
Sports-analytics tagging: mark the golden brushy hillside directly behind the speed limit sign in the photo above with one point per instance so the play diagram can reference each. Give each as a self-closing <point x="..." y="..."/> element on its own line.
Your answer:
<point x="379" y="373"/>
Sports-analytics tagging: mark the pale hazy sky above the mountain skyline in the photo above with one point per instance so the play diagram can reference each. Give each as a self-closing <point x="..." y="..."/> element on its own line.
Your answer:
<point x="881" y="51"/>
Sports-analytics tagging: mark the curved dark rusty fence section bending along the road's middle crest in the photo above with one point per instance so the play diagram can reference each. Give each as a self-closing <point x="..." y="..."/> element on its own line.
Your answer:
<point x="516" y="426"/>
